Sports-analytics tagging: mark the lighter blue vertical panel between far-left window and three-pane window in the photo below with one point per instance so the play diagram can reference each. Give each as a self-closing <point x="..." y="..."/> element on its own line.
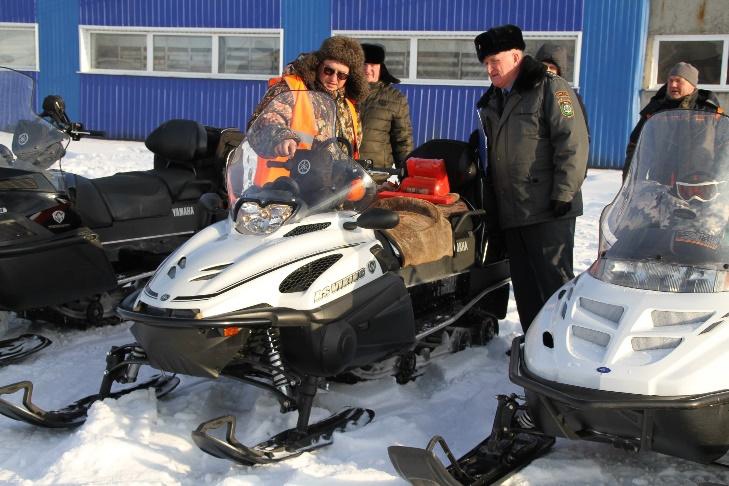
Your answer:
<point x="58" y="52"/>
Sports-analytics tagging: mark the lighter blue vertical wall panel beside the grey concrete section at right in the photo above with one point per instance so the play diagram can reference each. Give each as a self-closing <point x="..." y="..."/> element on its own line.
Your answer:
<point x="613" y="53"/>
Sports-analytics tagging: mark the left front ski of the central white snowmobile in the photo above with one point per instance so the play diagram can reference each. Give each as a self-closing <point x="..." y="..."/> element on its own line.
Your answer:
<point x="74" y="414"/>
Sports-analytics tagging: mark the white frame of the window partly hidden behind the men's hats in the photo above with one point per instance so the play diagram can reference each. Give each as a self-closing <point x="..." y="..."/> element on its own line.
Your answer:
<point x="415" y="35"/>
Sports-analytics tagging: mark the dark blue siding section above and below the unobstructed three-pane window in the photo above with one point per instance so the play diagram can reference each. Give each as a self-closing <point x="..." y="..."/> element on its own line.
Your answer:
<point x="129" y="107"/>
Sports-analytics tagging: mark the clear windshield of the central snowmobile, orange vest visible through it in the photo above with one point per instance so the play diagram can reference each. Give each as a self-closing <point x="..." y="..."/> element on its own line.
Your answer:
<point x="292" y="165"/>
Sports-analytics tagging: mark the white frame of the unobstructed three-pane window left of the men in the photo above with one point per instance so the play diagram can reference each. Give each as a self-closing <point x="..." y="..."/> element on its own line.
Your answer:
<point x="85" y="32"/>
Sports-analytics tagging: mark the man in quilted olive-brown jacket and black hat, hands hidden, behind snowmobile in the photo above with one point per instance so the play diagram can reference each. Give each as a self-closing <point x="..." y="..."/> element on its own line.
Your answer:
<point x="387" y="136"/>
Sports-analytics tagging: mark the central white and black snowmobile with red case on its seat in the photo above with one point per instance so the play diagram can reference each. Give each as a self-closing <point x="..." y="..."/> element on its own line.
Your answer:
<point x="308" y="279"/>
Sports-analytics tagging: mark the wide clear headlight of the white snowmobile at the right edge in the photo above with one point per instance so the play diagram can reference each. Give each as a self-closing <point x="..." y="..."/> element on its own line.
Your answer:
<point x="661" y="277"/>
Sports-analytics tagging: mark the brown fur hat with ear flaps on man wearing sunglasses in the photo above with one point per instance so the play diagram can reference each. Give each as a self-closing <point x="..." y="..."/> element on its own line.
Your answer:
<point x="340" y="49"/>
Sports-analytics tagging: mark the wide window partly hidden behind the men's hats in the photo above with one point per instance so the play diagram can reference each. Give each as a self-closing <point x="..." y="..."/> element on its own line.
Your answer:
<point x="450" y="58"/>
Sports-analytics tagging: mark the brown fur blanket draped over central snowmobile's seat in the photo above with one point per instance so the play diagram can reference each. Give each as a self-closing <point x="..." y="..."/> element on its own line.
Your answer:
<point x="424" y="233"/>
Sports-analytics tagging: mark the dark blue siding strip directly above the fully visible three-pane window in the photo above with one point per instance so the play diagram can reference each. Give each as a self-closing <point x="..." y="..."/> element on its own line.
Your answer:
<point x="251" y="14"/>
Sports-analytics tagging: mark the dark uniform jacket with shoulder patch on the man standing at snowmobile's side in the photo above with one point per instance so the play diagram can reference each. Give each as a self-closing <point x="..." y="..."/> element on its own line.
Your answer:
<point x="537" y="149"/>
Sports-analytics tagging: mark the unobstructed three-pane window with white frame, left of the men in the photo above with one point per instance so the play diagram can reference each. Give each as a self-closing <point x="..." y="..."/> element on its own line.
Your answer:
<point x="192" y="53"/>
